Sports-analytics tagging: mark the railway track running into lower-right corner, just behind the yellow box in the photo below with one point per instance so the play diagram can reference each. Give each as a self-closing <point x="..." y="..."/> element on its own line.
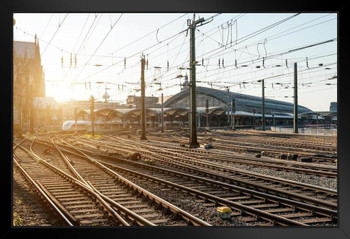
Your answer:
<point x="249" y="206"/>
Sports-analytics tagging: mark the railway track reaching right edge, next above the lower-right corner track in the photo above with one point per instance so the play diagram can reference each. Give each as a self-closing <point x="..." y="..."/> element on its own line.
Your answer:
<point x="286" y="188"/>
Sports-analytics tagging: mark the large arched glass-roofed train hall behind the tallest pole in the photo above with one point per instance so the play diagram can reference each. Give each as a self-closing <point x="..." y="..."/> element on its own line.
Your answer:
<point x="247" y="109"/>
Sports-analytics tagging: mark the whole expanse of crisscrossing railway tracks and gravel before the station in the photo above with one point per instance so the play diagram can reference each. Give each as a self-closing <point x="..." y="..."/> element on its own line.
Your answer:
<point x="96" y="181"/>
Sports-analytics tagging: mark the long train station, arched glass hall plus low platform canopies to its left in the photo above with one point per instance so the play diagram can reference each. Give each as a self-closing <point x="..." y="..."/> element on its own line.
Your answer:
<point x="216" y="107"/>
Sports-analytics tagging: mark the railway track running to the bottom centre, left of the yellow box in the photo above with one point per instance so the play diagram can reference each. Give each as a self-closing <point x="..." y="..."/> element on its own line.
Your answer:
<point x="129" y="200"/>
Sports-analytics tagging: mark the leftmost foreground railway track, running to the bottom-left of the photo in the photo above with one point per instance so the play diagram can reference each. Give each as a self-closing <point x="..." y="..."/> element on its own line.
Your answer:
<point x="72" y="201"/>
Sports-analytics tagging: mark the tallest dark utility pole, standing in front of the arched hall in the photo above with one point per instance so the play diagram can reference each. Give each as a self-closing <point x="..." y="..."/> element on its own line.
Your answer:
<point x="193" y="109"/>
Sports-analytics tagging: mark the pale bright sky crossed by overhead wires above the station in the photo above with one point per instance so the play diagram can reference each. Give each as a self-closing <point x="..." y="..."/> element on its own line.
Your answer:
<point x="234" y="51"/>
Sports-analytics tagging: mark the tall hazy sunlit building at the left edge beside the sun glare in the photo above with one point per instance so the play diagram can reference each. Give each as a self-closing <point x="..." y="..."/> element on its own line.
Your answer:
<point x="28" y="80"/>
